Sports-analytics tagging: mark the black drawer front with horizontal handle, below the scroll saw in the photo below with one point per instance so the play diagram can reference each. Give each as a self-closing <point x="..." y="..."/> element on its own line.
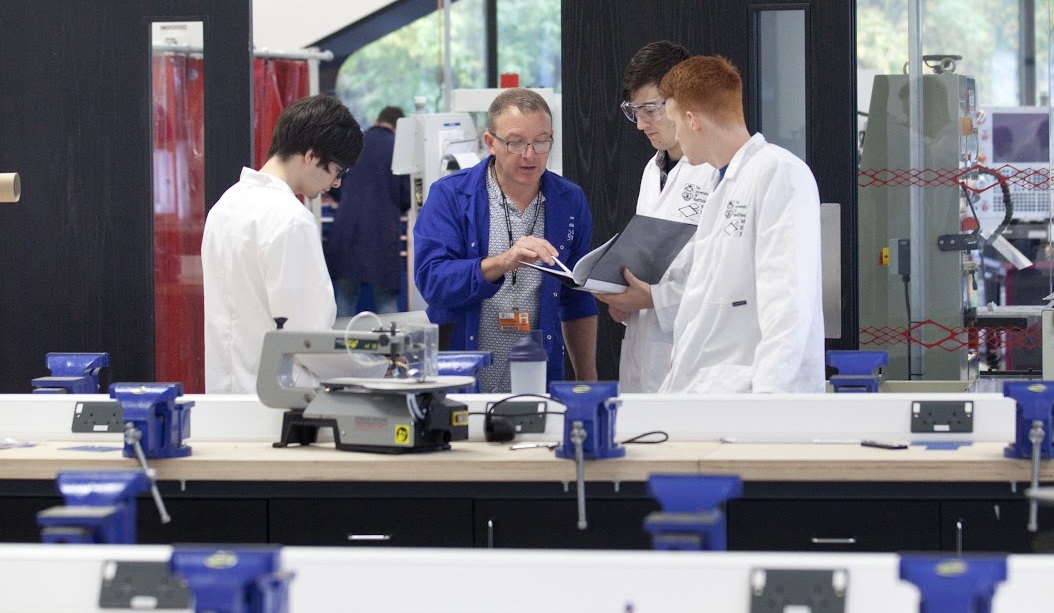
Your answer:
<point x="374" y="523"/>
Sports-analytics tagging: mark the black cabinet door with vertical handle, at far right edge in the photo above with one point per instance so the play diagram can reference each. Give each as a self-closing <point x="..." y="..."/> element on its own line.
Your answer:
<point x="996" y="526"/>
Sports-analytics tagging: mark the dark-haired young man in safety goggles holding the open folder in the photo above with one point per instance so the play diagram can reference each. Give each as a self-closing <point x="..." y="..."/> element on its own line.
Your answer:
<point x="673" y="189"/>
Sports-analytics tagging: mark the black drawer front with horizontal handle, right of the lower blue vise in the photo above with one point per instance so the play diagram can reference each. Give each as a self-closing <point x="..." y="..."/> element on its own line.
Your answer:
<point x="872" y="526"/>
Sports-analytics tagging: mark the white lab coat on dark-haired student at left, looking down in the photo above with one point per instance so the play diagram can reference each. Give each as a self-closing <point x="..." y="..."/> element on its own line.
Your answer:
<point x="262" y="256"/>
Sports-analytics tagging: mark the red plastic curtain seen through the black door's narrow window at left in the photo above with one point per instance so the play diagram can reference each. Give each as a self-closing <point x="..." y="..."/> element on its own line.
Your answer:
<point x="179" y="102"/>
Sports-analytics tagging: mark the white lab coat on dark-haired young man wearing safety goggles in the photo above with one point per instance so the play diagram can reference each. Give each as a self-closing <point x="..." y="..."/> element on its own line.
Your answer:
<point x="650" y="339"/>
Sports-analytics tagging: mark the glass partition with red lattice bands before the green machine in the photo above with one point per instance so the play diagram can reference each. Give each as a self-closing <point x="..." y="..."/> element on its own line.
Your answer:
<point x="954" y="202"/>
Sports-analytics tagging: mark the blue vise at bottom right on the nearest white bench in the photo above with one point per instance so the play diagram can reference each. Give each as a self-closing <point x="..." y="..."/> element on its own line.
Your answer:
<point x="954" y="585"/>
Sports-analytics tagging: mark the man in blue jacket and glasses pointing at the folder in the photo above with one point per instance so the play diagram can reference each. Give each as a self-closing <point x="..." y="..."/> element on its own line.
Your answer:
<point x="481" y="225"/>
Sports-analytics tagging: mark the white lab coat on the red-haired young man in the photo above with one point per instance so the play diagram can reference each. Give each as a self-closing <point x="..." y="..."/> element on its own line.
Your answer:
<point x="752" y="317"/>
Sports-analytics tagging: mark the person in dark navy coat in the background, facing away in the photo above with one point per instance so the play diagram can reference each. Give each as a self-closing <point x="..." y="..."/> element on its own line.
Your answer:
<point x="364" y="246"/>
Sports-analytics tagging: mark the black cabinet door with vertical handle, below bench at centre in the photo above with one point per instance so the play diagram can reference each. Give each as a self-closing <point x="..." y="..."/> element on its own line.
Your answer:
<point x="554" y="524"/>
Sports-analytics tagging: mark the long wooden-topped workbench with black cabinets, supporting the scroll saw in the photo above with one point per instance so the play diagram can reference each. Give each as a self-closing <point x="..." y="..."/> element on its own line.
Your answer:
<point x="798" y="497"/>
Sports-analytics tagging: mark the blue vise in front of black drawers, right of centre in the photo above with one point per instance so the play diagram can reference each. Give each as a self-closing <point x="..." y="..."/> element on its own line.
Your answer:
<point x="692" y="518"/>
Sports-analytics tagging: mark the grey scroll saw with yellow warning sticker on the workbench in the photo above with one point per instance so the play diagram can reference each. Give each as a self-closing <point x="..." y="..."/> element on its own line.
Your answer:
<point x="403" y="412"/>
